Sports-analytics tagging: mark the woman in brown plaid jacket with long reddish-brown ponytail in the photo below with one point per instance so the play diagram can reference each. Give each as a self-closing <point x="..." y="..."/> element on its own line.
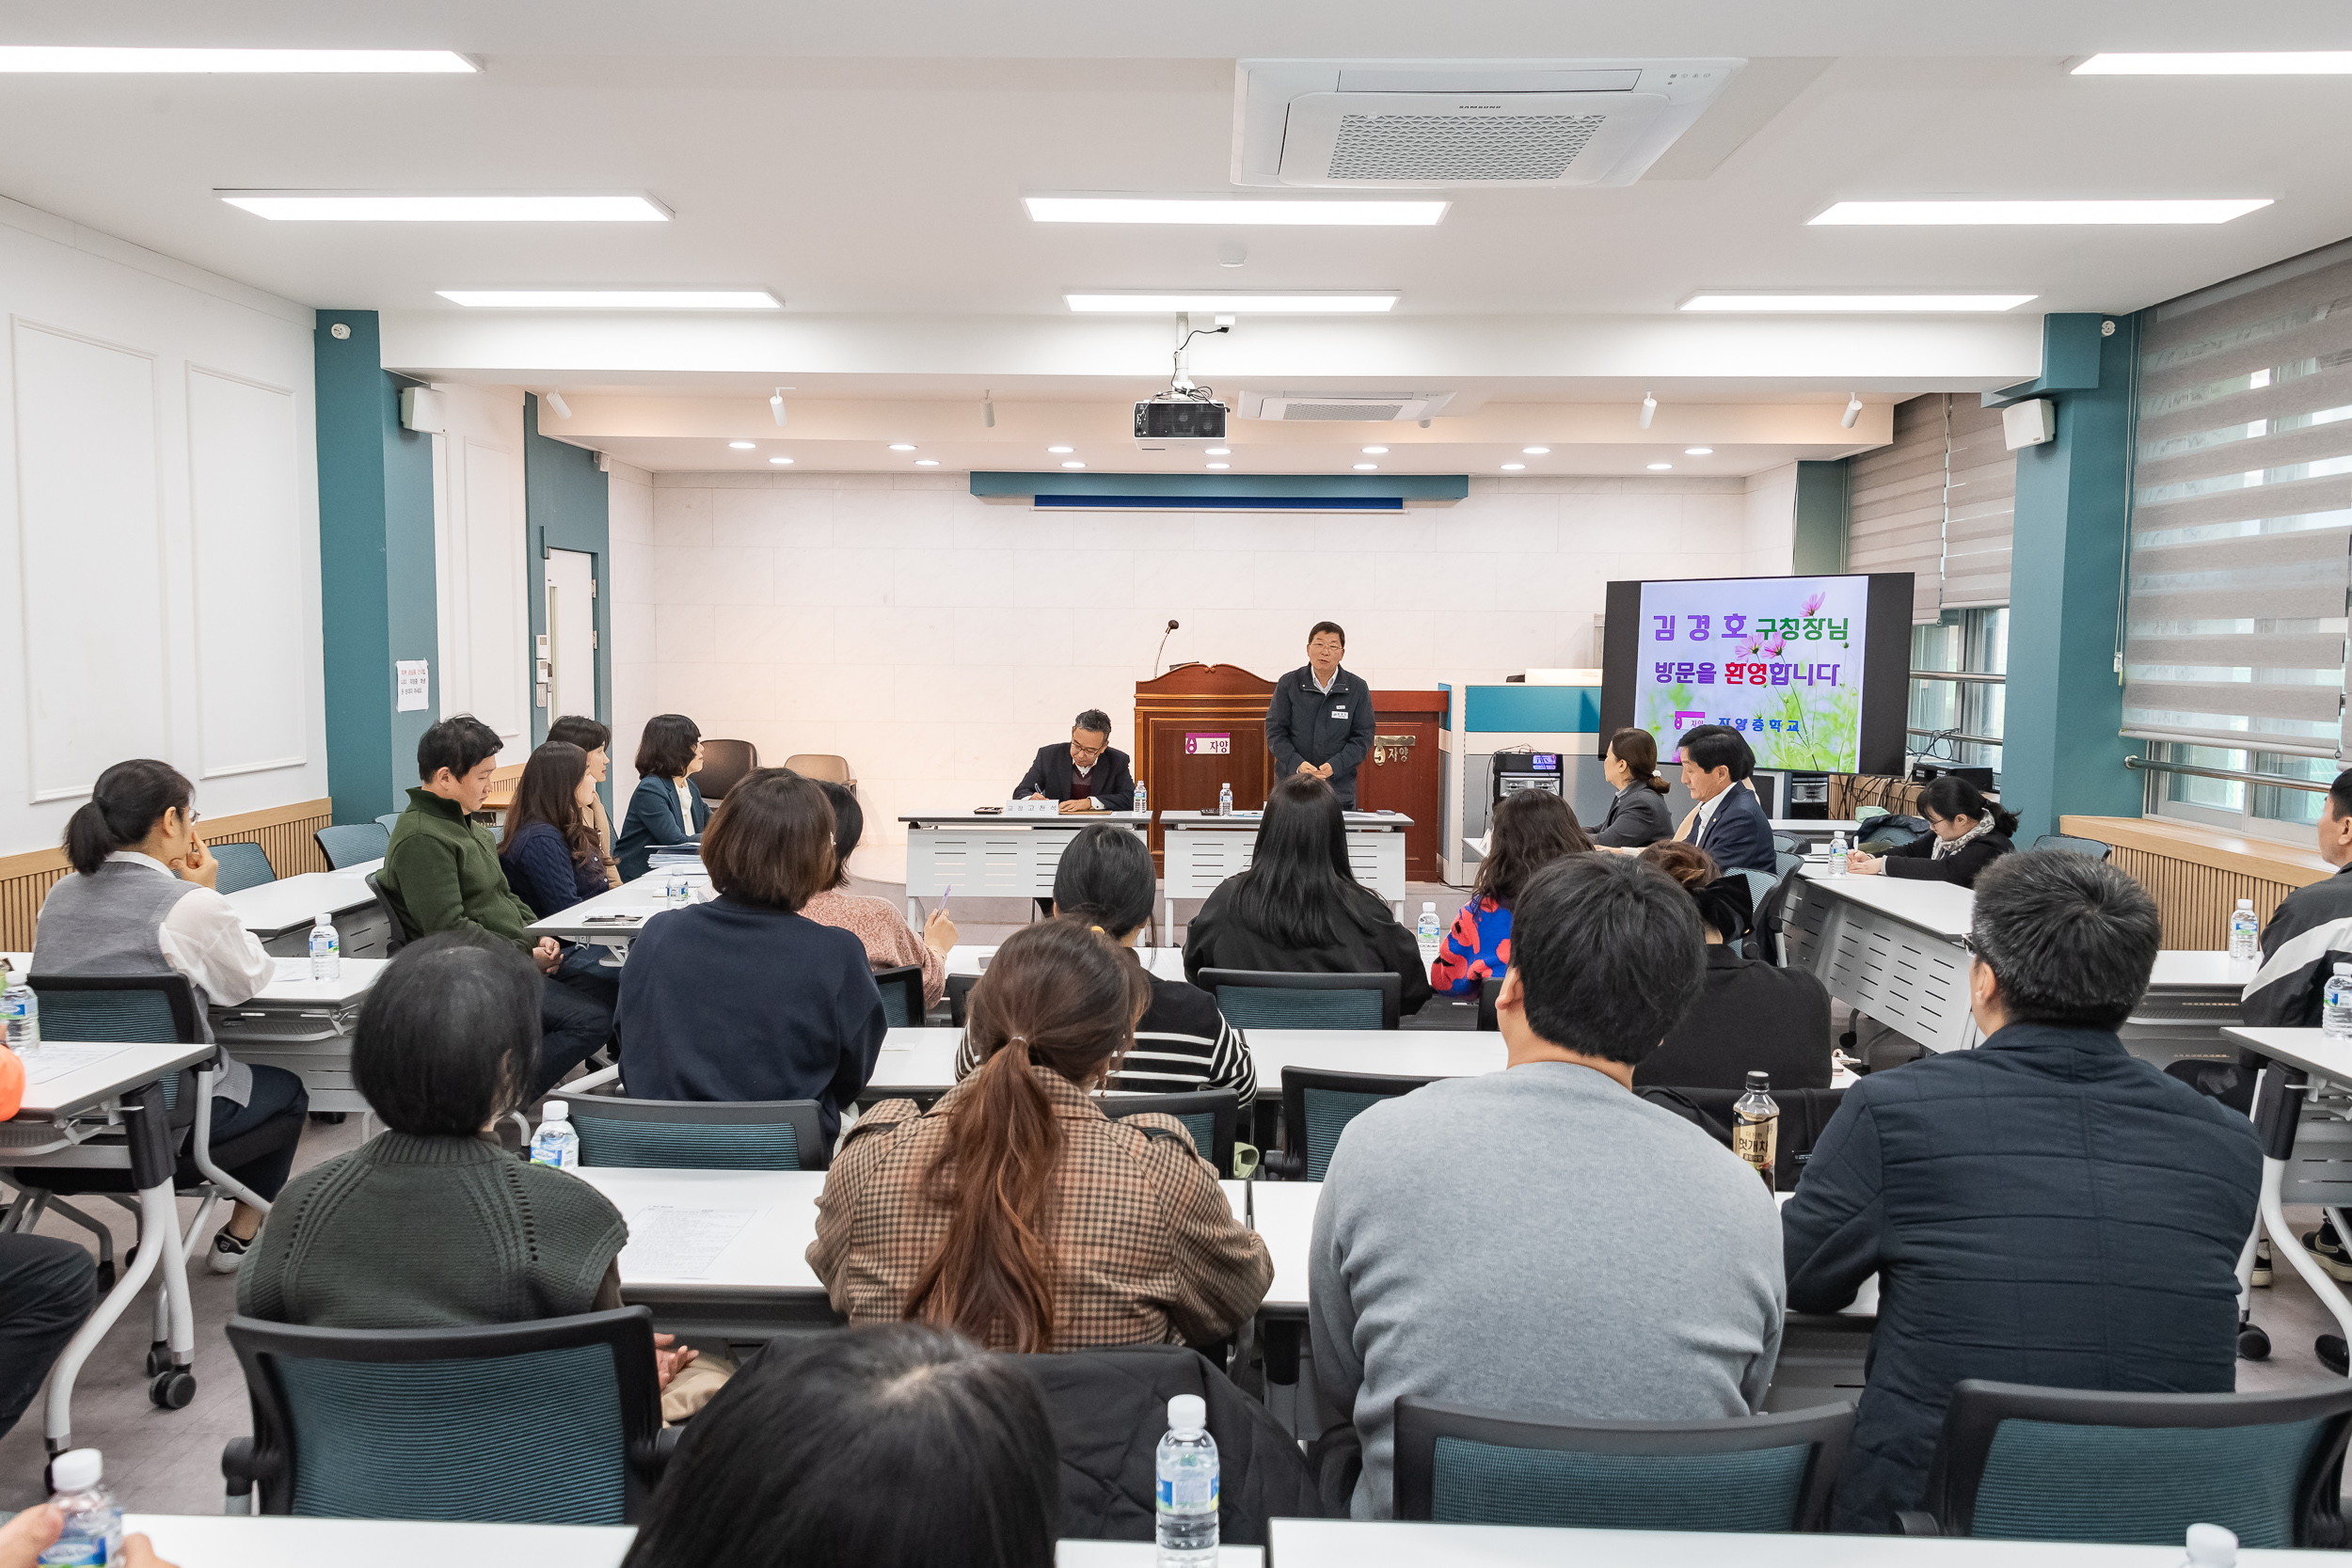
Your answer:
<point x="1015" y="1212"/>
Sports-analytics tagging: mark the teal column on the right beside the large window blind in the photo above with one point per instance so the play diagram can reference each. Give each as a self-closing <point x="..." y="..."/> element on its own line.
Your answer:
<point x="2066" y="702"/>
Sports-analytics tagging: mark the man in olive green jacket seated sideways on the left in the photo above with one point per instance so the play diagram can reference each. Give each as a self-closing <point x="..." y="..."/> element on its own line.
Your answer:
<point x="443" y="876"/>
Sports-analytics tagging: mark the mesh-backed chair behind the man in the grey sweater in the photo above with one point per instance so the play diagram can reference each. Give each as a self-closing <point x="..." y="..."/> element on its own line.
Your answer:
<point x="1751" y="1473"/>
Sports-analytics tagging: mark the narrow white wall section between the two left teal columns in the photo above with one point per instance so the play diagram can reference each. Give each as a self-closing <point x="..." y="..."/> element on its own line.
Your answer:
<point x="481" y="561"/>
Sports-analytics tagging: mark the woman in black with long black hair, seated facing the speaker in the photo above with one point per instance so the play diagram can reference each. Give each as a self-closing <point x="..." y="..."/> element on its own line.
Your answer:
<point x="1299" y="906"/>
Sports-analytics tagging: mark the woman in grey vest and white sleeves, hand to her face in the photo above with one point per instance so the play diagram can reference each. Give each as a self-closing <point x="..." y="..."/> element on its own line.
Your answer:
<point x="142" y="902"/>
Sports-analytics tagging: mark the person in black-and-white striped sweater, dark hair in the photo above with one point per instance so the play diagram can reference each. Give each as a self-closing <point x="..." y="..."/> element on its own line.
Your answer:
<point x="1184" y="1040"/>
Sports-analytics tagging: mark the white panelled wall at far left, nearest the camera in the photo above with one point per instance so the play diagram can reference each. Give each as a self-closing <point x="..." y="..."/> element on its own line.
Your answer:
<point x="159" y="528"/>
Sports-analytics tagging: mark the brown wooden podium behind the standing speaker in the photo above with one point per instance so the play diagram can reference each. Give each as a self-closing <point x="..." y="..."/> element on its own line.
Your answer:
<point x="1201" y="728"/>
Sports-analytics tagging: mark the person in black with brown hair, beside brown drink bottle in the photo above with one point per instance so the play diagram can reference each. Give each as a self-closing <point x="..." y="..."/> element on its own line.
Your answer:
<point x="1753" y="1017"/>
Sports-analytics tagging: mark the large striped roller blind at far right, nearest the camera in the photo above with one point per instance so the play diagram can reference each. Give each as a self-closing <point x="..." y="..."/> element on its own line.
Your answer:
<point x="2243" y="514"/>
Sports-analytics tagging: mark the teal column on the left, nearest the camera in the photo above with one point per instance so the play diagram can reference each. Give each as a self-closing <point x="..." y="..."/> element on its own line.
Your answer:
<point x="375" y="551"/>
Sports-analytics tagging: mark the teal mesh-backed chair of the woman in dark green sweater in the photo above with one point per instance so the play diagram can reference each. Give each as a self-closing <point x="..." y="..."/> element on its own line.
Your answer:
<point x="554" y="1421"/>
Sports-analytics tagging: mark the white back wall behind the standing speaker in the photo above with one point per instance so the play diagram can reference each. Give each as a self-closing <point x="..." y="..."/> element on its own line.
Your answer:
<point x="937" y="641"/>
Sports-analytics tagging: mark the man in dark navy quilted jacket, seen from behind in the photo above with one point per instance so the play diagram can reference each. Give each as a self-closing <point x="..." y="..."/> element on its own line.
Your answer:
<point x="2040" y="1209"/>
